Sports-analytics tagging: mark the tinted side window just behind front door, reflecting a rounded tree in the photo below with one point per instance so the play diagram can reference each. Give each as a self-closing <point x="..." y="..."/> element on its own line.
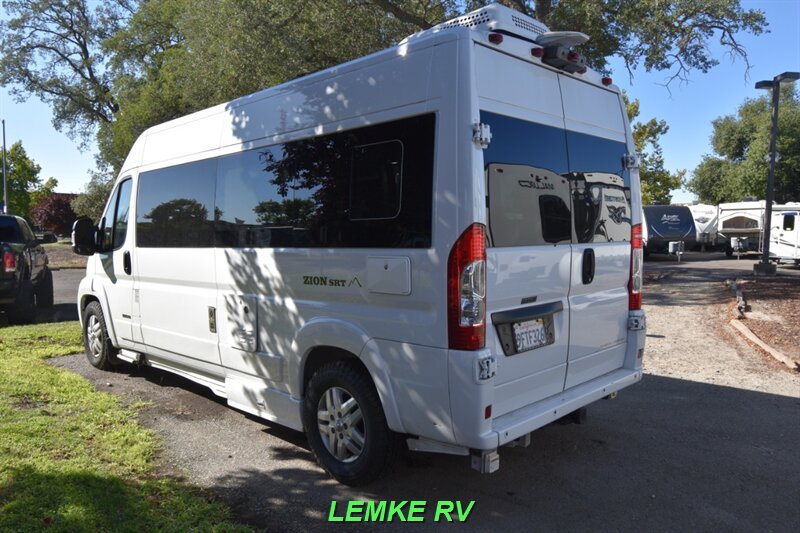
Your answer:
<point x="175" y="207"/>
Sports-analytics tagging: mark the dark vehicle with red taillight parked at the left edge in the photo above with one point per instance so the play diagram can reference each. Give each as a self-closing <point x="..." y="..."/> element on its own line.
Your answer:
<point x="25" y="279"/>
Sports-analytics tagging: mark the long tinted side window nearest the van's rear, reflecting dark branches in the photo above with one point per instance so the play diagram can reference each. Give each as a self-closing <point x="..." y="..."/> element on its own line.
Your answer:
<point x="371" y="187"/>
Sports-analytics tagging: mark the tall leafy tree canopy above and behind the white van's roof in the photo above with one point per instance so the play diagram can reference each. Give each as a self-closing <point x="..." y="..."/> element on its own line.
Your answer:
<point x="118" y="67"/>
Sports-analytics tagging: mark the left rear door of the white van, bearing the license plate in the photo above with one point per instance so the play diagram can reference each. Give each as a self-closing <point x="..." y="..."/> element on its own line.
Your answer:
<point x="529" y="253"/>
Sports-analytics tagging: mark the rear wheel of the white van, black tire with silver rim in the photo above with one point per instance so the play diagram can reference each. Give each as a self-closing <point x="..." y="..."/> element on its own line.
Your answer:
<point x="348" y="381"/>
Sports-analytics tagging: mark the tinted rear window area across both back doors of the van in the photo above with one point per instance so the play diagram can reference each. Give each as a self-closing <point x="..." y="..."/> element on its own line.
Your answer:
<point x="547" y="185"/>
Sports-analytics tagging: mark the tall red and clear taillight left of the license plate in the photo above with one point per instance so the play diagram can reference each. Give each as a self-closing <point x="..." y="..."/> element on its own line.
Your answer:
<point x="466" y="290"/>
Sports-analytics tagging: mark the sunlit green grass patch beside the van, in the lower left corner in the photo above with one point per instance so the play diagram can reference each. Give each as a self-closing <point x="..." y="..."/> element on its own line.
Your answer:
<point x="75" y="459"/>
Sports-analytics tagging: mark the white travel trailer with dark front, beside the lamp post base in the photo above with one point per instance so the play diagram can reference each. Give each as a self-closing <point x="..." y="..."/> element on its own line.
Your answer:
<point x="746" y="220"/>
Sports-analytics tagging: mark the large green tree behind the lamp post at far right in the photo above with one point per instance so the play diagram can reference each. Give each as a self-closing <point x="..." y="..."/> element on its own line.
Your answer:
<point x="739" y="165"/>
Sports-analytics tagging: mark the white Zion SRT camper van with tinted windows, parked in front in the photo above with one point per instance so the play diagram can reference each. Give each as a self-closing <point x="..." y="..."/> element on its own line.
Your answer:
<point x="438" y="243"/>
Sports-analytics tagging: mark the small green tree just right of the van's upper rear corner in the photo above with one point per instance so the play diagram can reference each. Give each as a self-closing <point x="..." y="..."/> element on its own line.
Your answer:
<point x="657" y="182"/>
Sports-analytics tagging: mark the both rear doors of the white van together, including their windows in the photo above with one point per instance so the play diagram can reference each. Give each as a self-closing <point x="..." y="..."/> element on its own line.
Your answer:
<point x="559" y="223"/>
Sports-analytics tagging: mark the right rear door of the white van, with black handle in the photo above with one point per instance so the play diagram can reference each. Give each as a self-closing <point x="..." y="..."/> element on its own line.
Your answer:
<point x="601" y="250"/>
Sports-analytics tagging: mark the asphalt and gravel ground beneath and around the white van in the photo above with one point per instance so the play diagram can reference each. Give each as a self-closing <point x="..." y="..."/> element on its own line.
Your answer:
<point x="707" y="441"/>
